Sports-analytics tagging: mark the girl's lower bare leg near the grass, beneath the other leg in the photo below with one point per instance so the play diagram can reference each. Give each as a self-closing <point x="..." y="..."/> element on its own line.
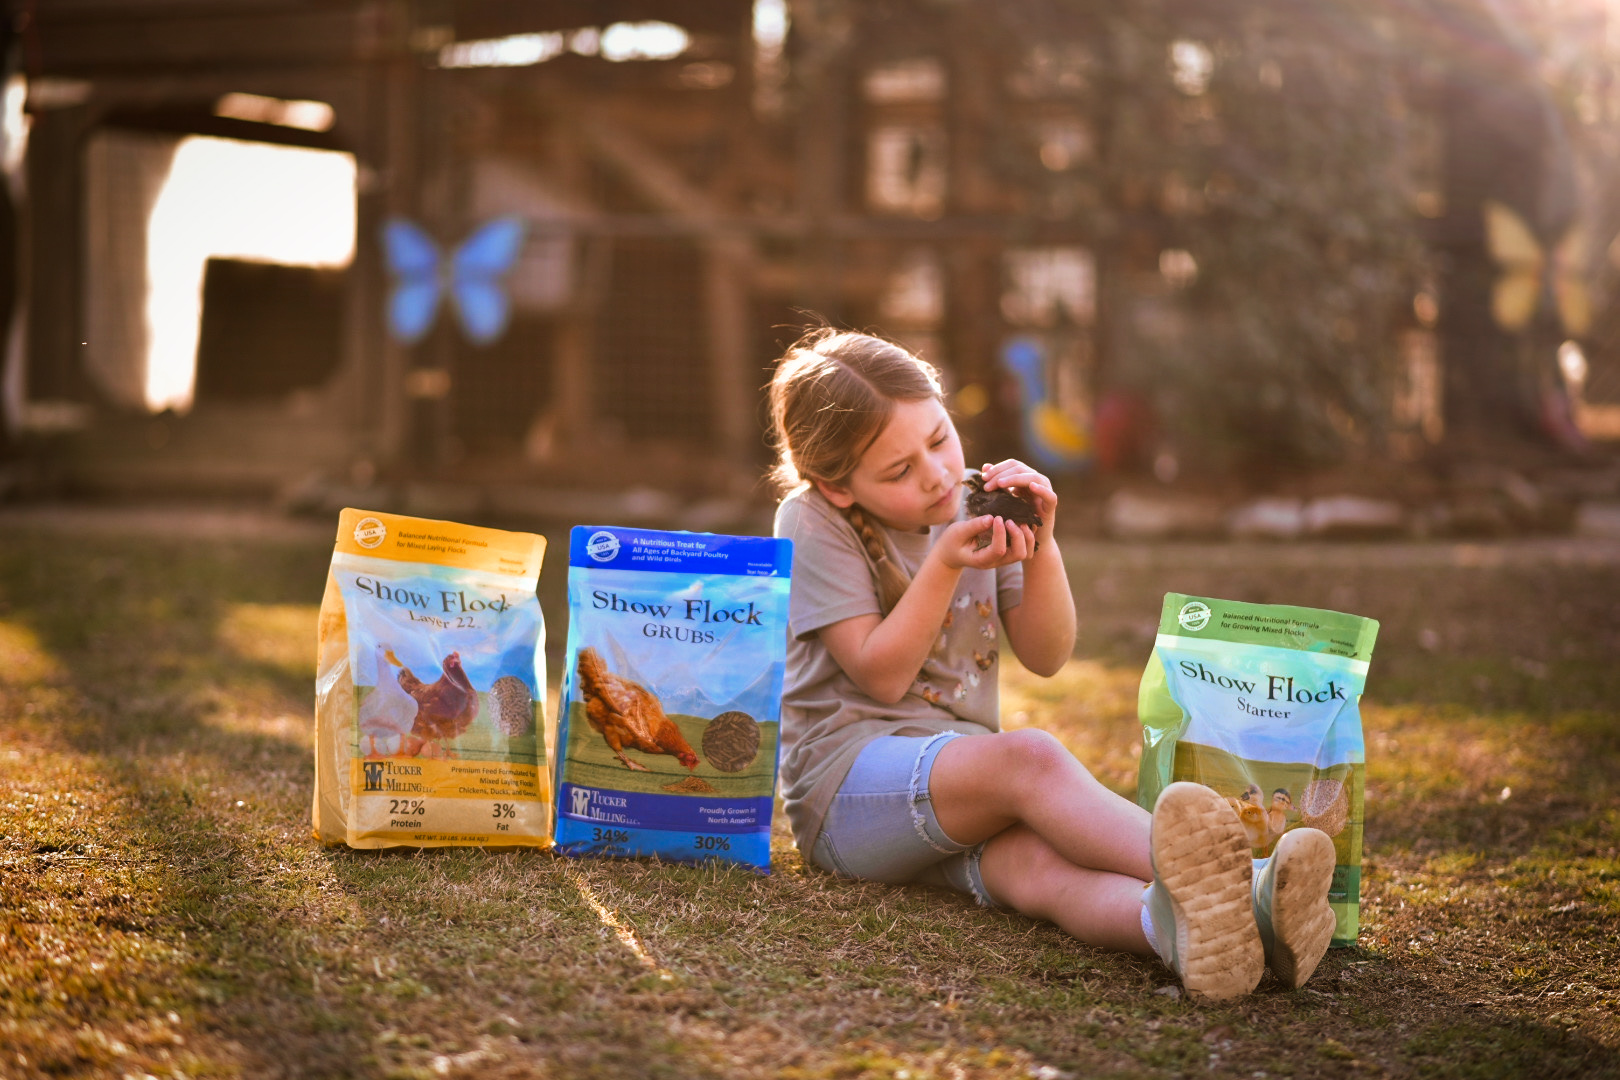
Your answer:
<point x="1099" y="908"/>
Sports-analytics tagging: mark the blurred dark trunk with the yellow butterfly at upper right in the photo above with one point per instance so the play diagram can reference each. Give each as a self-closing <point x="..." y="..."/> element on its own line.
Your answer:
<point x="1511" y="210"/>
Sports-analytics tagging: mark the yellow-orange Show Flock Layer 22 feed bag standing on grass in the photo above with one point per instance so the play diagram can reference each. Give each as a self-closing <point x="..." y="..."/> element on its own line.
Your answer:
<point x="430" y="712"/>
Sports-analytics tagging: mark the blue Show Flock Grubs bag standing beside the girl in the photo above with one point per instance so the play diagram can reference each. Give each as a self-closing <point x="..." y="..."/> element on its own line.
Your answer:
<point x="671" y="699"/>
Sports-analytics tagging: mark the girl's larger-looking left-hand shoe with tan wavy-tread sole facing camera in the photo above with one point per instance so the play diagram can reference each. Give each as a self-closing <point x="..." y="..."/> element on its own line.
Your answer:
<point x="1201" y="903"/>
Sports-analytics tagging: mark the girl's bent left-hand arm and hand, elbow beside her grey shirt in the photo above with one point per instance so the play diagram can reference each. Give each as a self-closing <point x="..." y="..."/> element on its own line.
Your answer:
<point x="885" y="653"/>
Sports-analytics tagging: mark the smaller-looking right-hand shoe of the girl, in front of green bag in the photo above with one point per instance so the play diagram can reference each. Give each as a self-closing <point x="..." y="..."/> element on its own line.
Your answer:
<point x="1290" y="904"/>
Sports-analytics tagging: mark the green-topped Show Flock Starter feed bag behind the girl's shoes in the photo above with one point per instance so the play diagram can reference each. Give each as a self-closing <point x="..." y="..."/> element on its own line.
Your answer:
<point x="1263" y="704"/>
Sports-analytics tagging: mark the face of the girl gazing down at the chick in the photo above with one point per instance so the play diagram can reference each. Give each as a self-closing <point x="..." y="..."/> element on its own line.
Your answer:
<point x="911" y="477"/>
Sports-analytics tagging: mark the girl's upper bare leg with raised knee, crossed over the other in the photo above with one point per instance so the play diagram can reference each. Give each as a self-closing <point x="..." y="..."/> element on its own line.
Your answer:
<point x="986" y="784"/>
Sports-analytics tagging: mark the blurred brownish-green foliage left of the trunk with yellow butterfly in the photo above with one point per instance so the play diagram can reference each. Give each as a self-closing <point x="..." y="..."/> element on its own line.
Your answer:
<point x="1251" y="195"/>
